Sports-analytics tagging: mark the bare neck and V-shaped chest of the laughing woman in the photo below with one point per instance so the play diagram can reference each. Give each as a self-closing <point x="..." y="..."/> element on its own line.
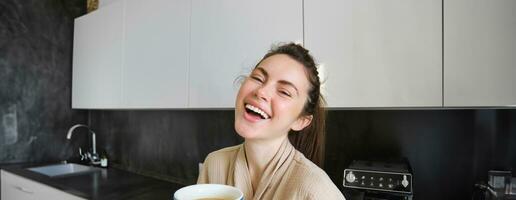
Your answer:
<point x="259" y="153"/>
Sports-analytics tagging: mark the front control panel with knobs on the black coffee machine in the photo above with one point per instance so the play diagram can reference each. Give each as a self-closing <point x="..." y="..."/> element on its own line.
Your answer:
<point x="378" y="180"/>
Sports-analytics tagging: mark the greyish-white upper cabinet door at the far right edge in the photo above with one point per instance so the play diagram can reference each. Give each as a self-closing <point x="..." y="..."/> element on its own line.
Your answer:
<point x="479" y="53"/>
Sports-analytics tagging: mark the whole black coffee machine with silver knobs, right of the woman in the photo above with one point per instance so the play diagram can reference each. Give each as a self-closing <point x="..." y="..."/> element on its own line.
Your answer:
<point x="378" y="180"/>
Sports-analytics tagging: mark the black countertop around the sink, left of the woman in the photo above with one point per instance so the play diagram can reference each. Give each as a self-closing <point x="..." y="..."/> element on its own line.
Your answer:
<point x="107" y="183"/>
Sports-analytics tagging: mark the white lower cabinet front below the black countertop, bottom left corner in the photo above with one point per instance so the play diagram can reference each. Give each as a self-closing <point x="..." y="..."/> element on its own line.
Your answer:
<point x="19" y="188"/>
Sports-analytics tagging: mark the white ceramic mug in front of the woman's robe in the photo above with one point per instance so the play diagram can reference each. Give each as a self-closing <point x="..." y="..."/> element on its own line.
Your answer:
<point x="207" y="192"/>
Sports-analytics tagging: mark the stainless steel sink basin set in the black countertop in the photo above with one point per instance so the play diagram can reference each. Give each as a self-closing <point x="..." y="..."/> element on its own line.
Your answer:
<point x="63" y="169"/>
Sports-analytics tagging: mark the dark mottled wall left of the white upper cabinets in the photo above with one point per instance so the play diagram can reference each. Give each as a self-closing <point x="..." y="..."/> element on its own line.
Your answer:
<point x="35" y="79"/>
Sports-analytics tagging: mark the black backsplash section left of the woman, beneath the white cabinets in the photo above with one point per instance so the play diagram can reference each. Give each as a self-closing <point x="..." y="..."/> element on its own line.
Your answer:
<point x="163" y="144"/>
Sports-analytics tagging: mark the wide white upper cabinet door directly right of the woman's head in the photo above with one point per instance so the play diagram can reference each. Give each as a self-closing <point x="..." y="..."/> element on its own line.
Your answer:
<point x="376" y="53"/>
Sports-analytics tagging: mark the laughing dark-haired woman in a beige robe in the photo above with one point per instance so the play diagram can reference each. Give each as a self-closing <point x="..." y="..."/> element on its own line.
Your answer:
<point x="279" y="112"/>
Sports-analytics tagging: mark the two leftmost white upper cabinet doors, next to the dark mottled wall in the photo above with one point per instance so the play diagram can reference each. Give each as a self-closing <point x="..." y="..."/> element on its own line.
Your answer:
<point x="132" y="54"/>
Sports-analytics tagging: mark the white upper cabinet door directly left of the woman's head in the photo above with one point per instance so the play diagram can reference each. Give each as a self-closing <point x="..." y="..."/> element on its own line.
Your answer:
<point x="228" y="37"/>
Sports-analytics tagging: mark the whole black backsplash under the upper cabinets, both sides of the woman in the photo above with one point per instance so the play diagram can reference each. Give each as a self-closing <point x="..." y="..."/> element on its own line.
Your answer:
<point x="449" y="150"/>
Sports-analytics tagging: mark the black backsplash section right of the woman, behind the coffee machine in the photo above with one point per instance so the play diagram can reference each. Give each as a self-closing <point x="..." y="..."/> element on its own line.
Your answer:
<point x="449" y="150"/>
